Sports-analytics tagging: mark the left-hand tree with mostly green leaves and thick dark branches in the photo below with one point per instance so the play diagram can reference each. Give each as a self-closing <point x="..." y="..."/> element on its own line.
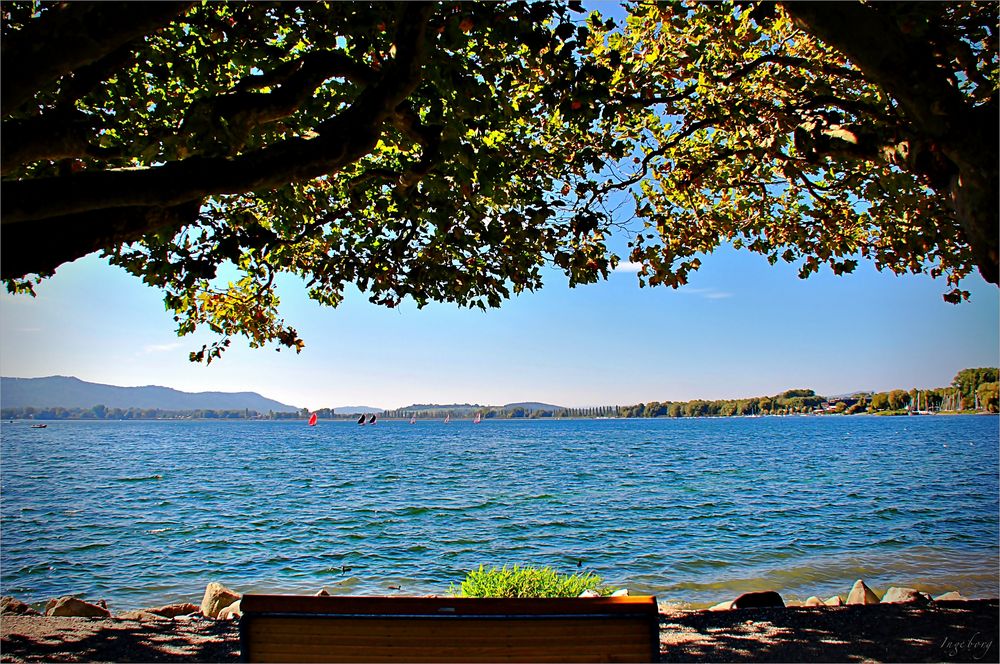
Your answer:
<point x="399" y="146"/>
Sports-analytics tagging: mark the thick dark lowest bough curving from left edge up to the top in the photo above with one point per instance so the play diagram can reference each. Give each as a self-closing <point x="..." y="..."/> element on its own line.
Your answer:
<point x="36" y="209"/>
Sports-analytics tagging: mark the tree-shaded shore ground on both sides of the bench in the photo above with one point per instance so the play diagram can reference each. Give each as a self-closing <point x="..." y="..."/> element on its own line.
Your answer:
<point x="963" y="631"/>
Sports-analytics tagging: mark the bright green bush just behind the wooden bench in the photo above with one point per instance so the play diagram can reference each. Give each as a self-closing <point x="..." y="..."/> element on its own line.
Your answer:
<point x="527" y="582"/>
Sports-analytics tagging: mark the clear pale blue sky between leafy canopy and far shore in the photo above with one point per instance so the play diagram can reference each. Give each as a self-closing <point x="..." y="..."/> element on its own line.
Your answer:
<point x="740" y="328"/>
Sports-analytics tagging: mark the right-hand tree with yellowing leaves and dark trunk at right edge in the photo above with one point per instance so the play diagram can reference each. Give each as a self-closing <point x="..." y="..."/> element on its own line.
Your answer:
<point x="810" y="132"/>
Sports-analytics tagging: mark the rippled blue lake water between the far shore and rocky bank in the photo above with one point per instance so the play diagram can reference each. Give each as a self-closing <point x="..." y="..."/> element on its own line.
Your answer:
<point x="695" y="511"/>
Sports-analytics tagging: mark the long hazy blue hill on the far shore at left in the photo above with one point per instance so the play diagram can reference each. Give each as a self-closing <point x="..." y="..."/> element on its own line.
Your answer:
<point x="69" y="392"/>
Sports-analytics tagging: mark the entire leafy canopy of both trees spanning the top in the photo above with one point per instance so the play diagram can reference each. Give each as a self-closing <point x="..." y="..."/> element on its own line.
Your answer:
<point x="450" y="151"/>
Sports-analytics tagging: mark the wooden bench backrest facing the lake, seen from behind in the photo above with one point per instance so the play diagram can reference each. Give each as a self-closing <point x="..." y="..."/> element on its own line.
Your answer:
<point x="294" y="628"/>
